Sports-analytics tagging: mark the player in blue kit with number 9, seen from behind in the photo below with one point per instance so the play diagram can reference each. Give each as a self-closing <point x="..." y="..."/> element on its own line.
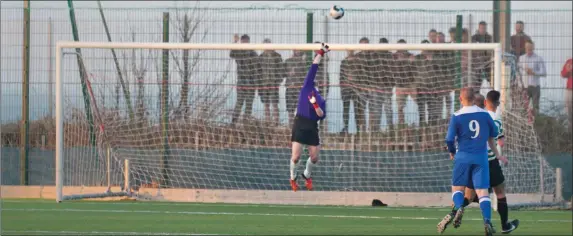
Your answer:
<point x="474" y="129"/>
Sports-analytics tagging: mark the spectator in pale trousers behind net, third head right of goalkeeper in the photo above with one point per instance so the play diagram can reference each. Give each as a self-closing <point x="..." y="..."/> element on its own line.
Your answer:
<point x="403" y="78"/>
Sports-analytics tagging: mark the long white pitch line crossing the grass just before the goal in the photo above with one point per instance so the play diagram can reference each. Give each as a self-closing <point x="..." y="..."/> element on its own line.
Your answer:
<point x="255" y="214"/>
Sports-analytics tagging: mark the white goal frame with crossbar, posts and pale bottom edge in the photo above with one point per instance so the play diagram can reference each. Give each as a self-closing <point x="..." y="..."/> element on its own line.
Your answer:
<point x="260" y="195"/>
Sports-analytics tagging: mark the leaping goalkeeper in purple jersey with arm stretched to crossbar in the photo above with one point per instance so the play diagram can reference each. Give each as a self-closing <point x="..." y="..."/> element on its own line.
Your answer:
<point x="310" y="110"/>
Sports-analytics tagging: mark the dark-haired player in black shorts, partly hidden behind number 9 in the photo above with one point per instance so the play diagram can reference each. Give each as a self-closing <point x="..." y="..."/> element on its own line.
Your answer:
<point x="496" y="178"/>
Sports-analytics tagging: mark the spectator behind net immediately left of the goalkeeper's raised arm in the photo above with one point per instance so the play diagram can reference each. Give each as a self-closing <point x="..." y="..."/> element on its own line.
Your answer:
<point x="295" y="68"/>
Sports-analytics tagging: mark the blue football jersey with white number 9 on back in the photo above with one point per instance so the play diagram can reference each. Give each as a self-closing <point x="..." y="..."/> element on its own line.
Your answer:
<point x="471" y="127"/>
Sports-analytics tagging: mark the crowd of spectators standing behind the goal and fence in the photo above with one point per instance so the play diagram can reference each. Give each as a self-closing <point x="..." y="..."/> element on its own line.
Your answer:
<point x="369" y="78"/>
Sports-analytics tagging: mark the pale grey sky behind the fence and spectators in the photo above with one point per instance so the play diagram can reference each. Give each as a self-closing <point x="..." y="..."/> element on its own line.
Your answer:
<point x="552" y="33"/>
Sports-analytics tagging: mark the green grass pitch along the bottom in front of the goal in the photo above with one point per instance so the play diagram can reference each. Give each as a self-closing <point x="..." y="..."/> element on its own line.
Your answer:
<point x="28" y="217"/>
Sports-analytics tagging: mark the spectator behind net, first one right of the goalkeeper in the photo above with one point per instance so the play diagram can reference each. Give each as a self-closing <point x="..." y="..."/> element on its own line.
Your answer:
<point x="347" y="91"/>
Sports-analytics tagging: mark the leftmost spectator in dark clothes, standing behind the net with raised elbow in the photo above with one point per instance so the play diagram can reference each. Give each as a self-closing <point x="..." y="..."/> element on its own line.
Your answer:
<point x="248" y="72"/>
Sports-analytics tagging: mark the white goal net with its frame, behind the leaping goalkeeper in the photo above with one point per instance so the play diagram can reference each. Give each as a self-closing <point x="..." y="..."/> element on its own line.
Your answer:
<point x="211" y="123"/>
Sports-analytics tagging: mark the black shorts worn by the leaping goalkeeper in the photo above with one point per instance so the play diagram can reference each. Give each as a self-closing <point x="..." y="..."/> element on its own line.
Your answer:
<point x="305" y="131"/>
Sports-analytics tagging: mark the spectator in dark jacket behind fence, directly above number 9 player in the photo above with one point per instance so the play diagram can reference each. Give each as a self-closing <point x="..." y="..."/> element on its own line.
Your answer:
<point x="481" y="59"/>
